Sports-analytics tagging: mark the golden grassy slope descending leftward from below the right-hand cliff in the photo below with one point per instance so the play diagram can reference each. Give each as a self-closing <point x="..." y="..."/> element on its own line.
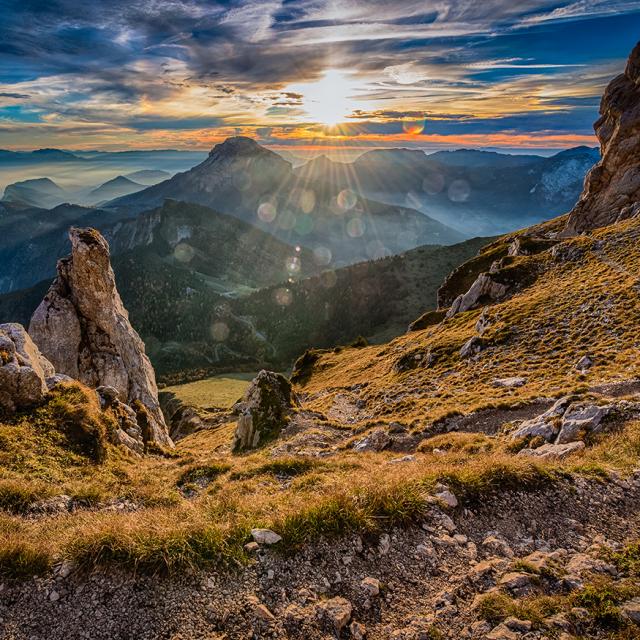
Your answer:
<point x="587" y="306"/>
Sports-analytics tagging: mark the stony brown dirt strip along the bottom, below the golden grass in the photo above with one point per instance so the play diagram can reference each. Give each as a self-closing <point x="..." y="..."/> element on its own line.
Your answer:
<point x="522" y="565"/>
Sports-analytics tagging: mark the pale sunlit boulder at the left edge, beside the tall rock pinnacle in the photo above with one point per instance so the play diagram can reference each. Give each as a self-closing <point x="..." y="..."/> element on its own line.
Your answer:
<point x="23" y="370"/>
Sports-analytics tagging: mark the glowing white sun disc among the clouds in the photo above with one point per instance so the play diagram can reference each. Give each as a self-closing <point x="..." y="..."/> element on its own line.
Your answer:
<point x="329" y="100"/>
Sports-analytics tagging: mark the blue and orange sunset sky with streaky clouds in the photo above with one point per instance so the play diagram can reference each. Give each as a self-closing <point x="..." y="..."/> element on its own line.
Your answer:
<point x="308" y="74"/>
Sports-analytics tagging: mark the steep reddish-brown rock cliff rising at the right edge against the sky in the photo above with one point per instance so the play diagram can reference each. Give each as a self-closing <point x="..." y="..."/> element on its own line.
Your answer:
<point x="612" y="188"/>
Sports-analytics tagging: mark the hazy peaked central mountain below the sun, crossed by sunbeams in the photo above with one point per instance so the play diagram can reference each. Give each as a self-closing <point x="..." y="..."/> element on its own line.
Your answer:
<point x="243" y="179"/>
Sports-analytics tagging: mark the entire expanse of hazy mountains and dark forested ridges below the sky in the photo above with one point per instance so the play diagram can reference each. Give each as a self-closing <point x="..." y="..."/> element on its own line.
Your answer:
<point x="243" y="259"/>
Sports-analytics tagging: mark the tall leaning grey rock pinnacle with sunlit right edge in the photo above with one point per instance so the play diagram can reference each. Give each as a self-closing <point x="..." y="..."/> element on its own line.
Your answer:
<point x="82" y="327"/>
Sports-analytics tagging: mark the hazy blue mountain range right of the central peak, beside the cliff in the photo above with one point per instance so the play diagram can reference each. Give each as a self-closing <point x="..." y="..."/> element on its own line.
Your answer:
<point x="474" y="192"/>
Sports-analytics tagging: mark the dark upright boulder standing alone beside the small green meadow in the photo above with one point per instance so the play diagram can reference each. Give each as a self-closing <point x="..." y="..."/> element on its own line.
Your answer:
<point x="263" y="410"/>
